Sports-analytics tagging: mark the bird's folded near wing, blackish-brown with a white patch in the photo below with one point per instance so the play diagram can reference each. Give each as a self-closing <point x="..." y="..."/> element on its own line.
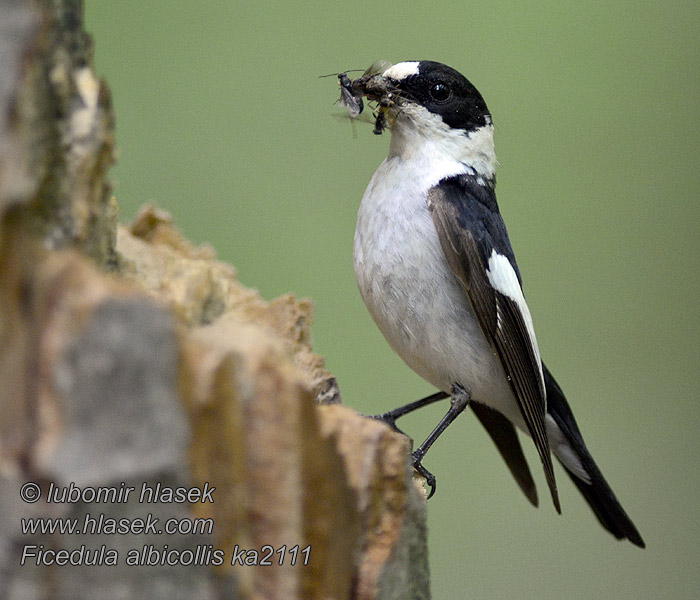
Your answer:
<point x="470" y="229"/>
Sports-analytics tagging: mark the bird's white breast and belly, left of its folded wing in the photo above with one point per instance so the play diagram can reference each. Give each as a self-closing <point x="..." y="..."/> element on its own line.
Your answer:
<point x="413" y="297"/>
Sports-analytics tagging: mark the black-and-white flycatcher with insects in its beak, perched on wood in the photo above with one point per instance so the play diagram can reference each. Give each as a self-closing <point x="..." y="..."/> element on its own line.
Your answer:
<point x="435" y="268"/>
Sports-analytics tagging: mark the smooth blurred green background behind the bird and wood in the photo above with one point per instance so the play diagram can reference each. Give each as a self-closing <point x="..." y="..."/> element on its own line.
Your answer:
<point x="223" y="121"/>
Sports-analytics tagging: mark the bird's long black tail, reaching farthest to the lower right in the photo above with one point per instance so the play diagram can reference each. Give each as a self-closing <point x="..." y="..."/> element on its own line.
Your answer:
<point x="598" y="493"/>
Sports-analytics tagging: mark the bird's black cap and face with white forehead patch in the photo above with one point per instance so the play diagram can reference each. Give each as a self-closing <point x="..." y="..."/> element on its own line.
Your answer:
<point x="441" y="90"/>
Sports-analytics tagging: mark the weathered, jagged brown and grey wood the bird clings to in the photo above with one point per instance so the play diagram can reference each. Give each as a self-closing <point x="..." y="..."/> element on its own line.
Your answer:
<point x="130" y="358"/>
